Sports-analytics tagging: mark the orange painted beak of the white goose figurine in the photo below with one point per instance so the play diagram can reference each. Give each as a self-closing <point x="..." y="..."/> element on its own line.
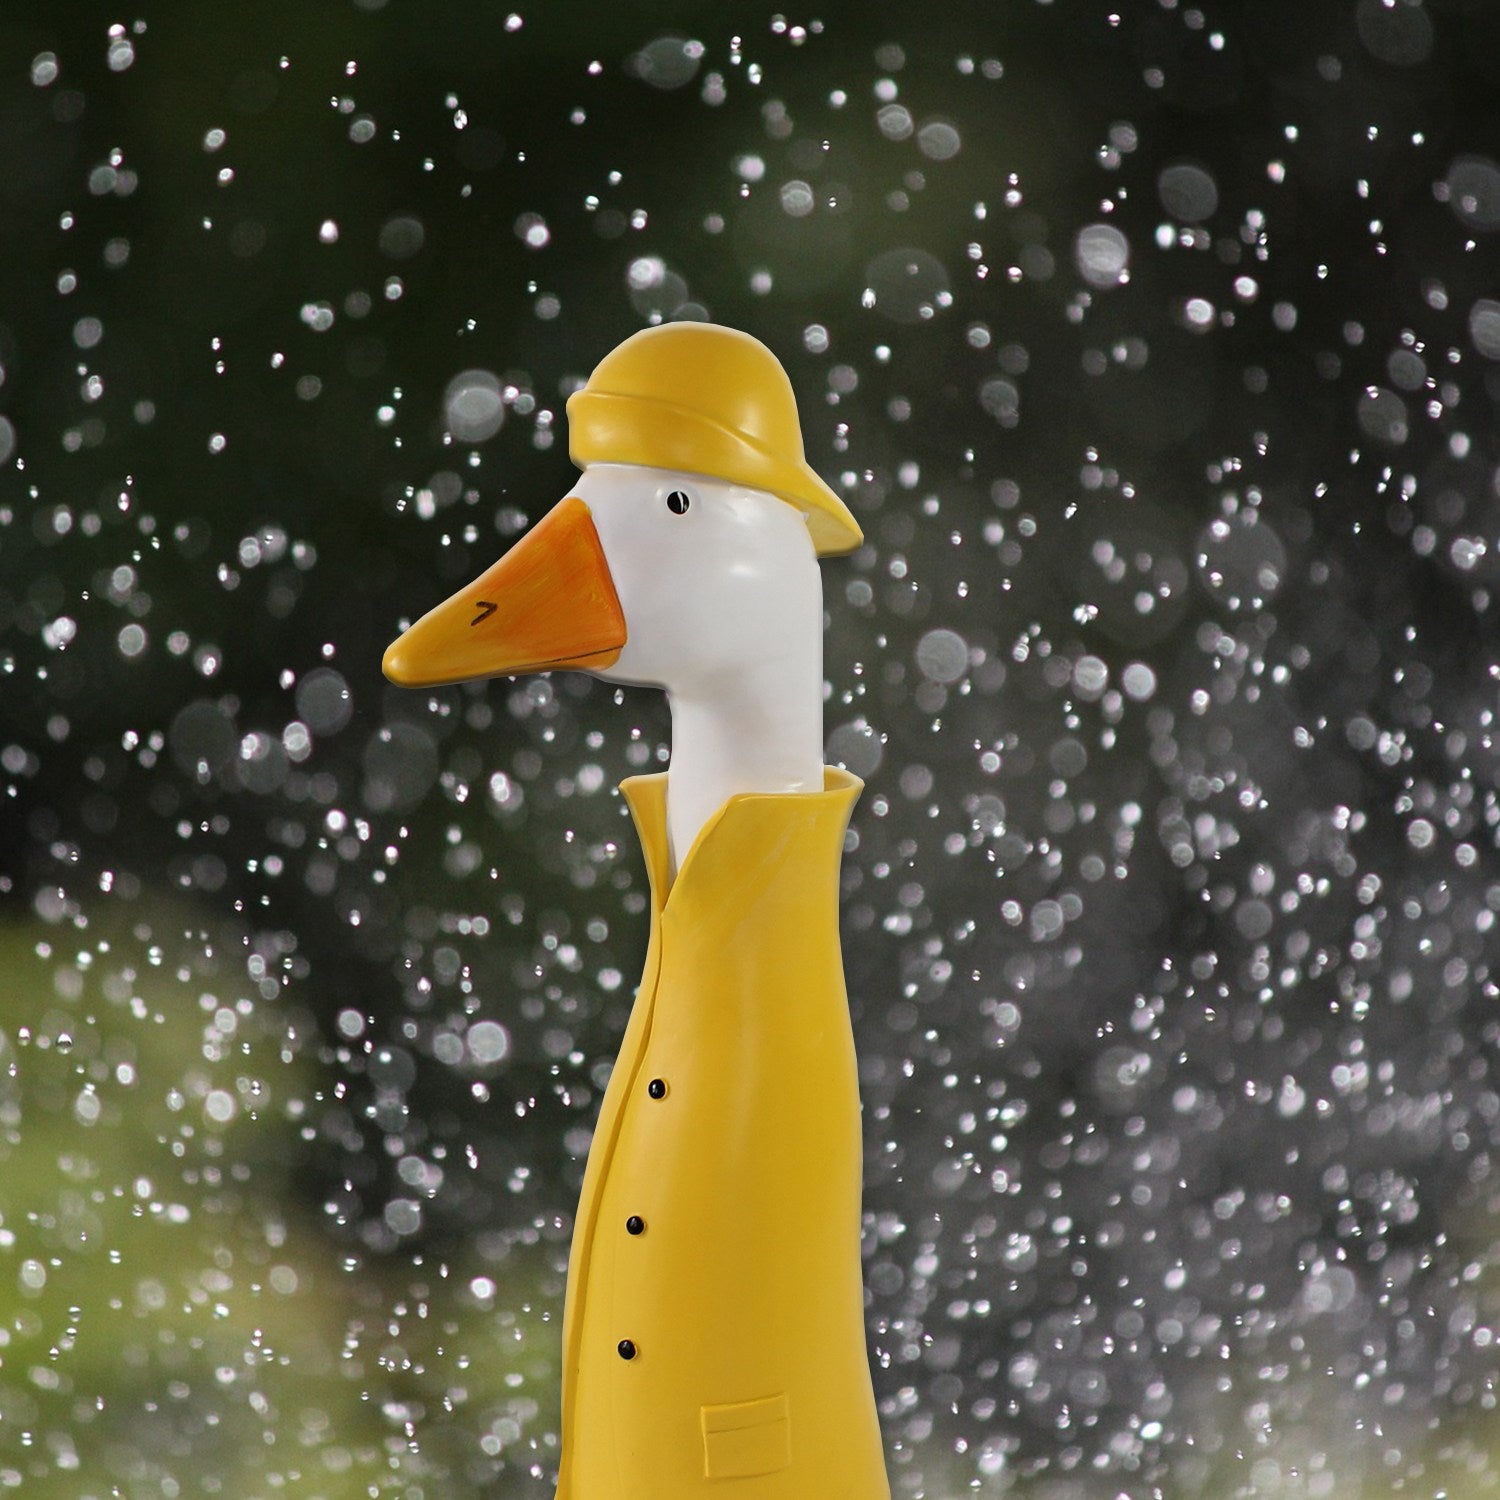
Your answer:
<point x="548" y="604"/>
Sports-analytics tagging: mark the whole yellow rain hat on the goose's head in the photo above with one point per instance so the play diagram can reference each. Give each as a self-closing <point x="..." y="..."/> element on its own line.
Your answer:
<point x="713" y="401"/>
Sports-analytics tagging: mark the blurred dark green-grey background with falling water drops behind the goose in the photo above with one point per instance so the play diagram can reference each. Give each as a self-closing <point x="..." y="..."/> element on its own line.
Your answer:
<point x="1157" y="349"/>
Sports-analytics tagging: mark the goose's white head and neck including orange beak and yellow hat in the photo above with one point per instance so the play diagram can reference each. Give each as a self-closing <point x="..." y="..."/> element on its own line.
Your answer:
<point x="686" y="559"/>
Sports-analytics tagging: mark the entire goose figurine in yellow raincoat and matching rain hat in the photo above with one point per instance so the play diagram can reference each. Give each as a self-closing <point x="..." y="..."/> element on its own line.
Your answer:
<point x="715" y="1318"/>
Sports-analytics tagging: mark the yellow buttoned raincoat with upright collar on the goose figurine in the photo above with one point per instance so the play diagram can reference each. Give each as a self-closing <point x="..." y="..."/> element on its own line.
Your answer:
<point x="719" y="1223"/>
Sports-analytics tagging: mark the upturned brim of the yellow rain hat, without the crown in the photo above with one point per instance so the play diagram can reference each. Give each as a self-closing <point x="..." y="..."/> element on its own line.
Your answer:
<point x="608" y="428"/>
